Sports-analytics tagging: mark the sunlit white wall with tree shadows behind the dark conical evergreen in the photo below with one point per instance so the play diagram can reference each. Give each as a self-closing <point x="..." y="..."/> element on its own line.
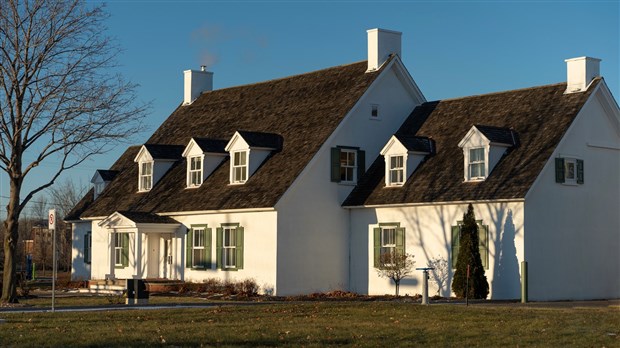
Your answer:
<point x="428" y="236"/>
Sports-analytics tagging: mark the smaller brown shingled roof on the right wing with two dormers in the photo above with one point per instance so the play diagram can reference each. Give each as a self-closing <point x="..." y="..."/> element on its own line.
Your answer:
<point x="540" y="116"/>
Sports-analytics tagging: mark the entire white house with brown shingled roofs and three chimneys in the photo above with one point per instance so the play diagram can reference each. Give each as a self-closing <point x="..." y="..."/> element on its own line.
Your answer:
<point x="286" y="182"/>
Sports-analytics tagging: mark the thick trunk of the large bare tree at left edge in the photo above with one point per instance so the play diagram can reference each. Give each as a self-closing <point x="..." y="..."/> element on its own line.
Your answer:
<point x="9" y="280"/>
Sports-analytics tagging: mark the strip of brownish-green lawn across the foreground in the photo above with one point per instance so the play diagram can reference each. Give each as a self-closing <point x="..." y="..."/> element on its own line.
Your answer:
<point x="318" y="324"/>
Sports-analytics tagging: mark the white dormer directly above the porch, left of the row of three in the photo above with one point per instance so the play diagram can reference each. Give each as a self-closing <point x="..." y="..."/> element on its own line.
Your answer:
<point x="154" y="160"/>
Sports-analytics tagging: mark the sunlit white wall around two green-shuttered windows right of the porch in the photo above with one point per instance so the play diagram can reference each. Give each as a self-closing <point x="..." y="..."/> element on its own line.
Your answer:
<point x="259" y="247"/>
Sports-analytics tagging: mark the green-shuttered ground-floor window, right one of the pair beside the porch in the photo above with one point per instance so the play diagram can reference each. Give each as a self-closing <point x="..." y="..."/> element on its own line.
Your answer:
<point x="230" y="247"/>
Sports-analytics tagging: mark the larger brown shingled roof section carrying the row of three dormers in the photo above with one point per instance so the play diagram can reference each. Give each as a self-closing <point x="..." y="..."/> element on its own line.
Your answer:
<point x="302" y="111"/>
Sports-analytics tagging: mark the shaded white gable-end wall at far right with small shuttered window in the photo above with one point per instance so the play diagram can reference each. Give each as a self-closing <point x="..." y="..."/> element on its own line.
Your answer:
<point x="572" y="235"/>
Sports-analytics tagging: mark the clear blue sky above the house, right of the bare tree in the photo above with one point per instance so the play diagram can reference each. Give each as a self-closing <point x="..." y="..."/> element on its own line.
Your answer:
<point x="451" y="48"/>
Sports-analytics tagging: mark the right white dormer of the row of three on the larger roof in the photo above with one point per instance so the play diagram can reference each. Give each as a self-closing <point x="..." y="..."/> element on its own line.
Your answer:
<point x="247" y="152"/>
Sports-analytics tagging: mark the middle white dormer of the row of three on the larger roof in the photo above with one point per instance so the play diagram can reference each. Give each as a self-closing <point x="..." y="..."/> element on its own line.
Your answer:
<point x="203" y="155"/>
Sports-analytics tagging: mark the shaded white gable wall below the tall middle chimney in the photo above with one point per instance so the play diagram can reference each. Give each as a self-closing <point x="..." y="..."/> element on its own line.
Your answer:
<point x="313" y="229"/>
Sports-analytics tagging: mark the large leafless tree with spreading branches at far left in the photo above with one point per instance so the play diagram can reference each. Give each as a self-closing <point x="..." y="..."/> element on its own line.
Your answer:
<point x="60" y="101"/>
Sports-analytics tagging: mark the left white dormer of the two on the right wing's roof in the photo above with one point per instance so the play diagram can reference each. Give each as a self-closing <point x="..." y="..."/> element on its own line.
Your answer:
<point x="403" y="154"/>
